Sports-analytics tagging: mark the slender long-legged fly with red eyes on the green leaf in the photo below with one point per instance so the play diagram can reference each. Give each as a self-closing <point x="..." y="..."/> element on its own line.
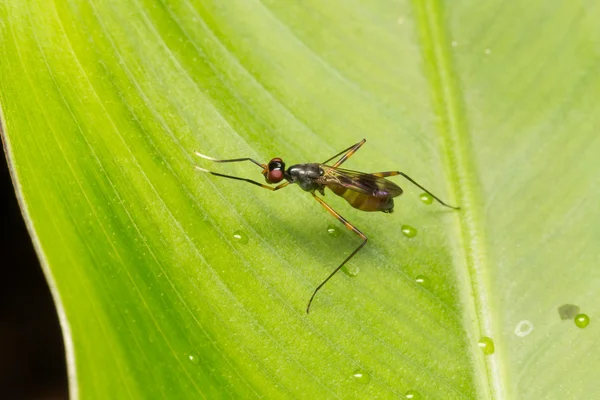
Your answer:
<point x="363" y="191"/>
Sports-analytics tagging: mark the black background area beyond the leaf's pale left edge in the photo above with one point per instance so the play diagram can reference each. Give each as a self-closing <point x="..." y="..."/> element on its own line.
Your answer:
<point x="32" y="360"/>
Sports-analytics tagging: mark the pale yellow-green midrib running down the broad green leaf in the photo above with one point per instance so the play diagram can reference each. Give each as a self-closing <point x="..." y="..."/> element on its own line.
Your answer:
<point x="471" y="254"/>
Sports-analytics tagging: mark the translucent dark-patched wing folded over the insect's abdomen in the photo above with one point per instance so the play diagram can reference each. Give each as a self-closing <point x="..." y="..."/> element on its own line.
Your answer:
<point x="360" y="182"/>
